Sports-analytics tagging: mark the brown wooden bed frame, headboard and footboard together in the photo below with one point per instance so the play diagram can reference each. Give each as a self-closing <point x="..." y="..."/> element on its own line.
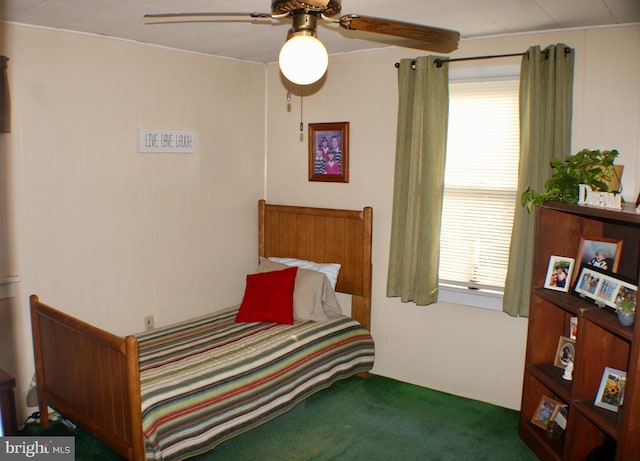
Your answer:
<point x="92" y="377"/>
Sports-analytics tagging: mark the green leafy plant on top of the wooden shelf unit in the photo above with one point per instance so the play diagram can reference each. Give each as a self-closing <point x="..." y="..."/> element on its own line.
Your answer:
<point x="591" y="167"/>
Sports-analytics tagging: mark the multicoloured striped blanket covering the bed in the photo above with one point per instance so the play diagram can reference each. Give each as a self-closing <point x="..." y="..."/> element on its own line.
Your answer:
<point x="209" y="379"/>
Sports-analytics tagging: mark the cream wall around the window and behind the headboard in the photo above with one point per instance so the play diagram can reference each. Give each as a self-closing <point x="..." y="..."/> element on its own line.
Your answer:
<point x="466" y="351"/>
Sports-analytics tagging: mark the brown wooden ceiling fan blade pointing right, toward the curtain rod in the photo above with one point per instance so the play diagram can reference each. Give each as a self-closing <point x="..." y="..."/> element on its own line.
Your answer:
<point x="414" y="35"/>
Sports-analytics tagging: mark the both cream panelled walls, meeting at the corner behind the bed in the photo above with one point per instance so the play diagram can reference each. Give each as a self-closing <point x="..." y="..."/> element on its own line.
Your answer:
<point x="112" y="235"/>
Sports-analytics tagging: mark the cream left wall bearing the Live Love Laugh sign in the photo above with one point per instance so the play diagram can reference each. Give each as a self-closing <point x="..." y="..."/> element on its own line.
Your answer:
<point x="104" y="232"/>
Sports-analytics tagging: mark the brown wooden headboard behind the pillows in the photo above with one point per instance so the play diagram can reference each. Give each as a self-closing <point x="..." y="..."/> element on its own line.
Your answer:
<point x="324" y="235"/>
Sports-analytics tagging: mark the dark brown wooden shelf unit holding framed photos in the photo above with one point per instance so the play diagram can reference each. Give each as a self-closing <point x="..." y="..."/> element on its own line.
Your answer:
<point x="601" y="340"/>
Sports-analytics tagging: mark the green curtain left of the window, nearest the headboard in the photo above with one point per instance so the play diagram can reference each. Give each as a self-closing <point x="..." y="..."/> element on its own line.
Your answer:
<point x="423" y="113"/>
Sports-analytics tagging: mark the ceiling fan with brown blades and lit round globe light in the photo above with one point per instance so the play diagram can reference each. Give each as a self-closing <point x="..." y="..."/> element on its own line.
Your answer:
<point x="303" y="58"/>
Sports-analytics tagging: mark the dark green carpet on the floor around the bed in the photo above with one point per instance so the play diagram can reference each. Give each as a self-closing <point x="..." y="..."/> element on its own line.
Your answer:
<point x="373" y="418"/>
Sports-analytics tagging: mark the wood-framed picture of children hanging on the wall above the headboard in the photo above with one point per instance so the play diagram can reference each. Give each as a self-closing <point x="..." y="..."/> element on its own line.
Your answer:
<point x="329" y="152"/>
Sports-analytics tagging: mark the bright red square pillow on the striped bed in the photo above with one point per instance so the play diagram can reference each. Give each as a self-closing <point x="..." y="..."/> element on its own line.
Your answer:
<point x="268" y="297"/>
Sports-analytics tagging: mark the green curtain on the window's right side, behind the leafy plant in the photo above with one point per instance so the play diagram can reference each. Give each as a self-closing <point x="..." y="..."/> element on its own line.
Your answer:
<point x="546" y="103"/>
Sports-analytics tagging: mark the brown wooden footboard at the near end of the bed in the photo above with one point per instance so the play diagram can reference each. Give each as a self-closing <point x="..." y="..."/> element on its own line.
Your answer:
<point x="89" y="376"/>
